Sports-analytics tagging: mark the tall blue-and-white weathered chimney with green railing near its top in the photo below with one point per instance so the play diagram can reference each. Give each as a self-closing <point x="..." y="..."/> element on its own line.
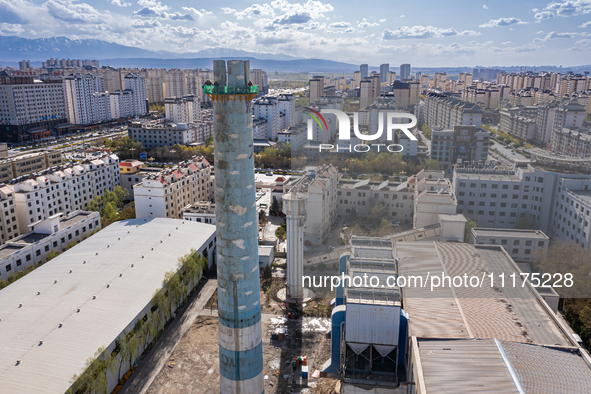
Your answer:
<point x="239" y="301"/>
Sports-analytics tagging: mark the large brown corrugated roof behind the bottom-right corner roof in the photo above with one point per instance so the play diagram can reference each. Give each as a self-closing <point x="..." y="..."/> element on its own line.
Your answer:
<point x="514" y="313"/>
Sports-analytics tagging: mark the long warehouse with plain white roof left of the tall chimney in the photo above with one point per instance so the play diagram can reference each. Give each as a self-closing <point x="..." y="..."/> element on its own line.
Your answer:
<point x="57" y="317"/>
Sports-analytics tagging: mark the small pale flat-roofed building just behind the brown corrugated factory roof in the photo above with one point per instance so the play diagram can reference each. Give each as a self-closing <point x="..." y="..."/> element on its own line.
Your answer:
<point x="522" y="245"/>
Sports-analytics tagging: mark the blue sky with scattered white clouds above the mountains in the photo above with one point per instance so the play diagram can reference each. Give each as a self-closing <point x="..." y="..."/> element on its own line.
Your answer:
<point x="425" y="33"/>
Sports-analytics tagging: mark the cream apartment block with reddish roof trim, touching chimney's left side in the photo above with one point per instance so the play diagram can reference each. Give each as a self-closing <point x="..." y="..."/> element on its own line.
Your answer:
<point x="165" y="194"/>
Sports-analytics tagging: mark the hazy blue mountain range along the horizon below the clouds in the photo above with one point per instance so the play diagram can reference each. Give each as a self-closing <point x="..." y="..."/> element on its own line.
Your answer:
<point x="14" y="49"/>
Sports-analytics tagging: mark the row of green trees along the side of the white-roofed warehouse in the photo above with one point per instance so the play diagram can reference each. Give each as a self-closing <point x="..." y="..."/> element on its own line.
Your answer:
<point x="176" y="287"/>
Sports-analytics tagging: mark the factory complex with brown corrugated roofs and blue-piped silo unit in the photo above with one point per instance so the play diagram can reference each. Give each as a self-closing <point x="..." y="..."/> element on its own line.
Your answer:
<point x="414" y="339"/>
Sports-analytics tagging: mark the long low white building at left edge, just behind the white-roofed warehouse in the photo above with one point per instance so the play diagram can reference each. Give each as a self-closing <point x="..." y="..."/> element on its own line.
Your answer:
<point x="51" y="235"/>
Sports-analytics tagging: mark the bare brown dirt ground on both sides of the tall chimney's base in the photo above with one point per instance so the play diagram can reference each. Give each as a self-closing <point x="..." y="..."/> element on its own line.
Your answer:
<point x="193" y="367"/>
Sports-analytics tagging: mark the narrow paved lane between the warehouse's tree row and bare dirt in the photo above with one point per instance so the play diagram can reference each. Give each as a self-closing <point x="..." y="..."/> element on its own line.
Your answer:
<point x="145" y="374"/>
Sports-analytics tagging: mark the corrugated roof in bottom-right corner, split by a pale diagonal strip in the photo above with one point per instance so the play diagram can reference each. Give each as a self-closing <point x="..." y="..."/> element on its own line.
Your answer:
<point x="468" y="366"/>
